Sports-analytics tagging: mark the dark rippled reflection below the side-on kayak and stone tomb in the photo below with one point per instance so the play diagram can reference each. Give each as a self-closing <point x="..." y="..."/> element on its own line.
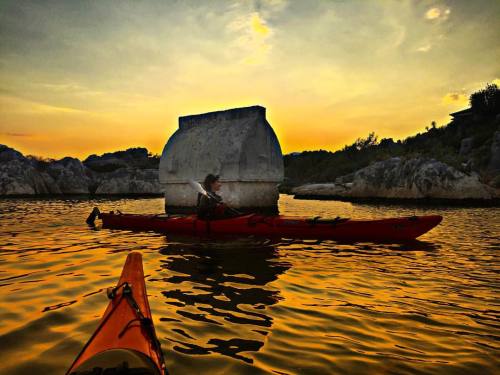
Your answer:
<point x="224" y="286"/>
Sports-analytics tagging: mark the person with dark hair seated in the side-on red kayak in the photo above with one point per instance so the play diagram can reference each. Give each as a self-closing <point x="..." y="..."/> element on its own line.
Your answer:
<point x="210" y="206"/>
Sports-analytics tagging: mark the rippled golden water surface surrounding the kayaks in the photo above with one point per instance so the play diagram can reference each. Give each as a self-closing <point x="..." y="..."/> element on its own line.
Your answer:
<point x="251" y="306"/>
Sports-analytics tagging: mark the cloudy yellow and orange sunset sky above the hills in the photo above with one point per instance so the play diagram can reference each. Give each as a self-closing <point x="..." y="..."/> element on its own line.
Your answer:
<point x="84" y="77"/>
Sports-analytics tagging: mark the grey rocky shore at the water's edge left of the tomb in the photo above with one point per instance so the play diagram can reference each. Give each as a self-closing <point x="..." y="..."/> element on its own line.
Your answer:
<point x="123" y="172"/>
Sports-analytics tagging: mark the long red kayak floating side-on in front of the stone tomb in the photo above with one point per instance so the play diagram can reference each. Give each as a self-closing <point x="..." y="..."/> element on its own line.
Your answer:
<point x="393" y="229"/>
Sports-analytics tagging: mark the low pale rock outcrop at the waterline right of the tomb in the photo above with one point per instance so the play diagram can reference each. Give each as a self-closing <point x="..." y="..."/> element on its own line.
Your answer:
<point x="399" y="178"/>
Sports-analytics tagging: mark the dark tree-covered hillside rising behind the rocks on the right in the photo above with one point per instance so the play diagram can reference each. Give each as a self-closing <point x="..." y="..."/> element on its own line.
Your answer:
<point x="467" y="143"/>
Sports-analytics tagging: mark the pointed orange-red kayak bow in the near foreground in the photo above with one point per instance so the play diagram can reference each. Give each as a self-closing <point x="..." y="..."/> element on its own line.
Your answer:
<point x="125" y="340"/>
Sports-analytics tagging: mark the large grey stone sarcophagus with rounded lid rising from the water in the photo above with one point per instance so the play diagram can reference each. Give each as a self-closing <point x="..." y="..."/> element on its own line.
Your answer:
<point x="237" y="144"/>
